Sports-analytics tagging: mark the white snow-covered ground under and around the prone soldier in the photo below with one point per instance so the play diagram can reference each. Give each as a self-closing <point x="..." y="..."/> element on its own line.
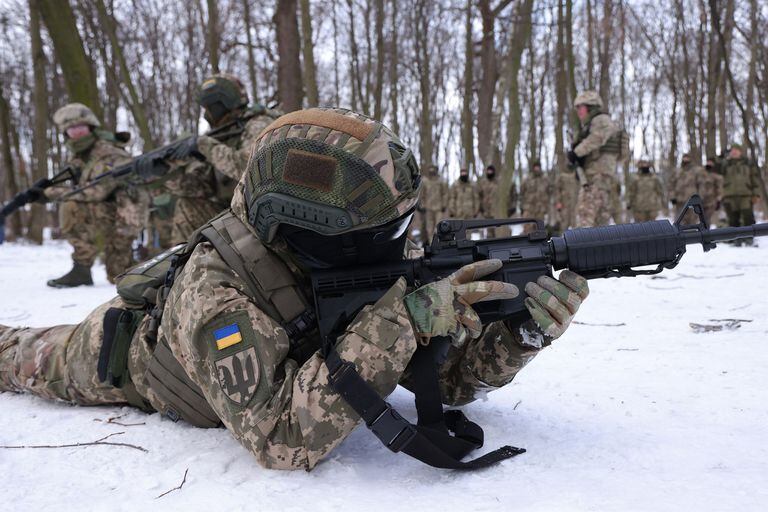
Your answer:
<point x="630" y="410"/>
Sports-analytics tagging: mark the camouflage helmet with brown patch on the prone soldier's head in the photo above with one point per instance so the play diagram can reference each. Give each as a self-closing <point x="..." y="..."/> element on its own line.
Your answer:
<point x="330" y="171"/>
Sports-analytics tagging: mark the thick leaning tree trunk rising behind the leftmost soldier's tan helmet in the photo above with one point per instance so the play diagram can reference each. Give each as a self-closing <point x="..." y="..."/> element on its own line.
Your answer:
<point x="76" y="66"/>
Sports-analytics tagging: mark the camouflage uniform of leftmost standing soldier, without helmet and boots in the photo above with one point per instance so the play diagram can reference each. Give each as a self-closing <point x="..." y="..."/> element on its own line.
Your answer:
<point x="112" y="209"/>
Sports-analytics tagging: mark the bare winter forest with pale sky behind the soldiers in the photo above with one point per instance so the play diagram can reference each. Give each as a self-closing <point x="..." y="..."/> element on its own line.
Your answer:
<point x="465" y="83"/>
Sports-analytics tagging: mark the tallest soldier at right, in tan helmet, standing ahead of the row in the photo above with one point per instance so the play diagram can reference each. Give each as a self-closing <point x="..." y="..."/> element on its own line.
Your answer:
<point x="596" y="150"/>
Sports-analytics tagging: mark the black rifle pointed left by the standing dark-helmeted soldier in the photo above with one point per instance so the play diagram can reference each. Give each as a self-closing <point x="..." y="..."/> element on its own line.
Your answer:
<point x="153" y="164"/>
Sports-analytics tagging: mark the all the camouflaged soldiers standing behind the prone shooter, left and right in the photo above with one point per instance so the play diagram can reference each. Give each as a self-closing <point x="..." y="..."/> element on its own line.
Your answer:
<point x="198" y="184"/>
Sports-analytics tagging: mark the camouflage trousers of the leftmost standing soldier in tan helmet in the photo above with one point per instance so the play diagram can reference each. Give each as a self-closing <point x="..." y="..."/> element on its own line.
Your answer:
<point x="116" y="223"/>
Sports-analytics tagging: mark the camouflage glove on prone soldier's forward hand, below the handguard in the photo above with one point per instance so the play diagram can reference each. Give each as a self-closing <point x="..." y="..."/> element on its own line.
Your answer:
<point x="553" y="302"/>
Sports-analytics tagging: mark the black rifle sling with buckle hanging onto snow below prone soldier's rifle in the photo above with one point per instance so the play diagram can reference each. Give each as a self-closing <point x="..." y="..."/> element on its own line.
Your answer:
<point x="430" y="441"/>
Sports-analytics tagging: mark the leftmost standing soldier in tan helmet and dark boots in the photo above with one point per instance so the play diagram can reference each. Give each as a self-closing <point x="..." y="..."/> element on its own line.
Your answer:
<point x="112" y="209"/>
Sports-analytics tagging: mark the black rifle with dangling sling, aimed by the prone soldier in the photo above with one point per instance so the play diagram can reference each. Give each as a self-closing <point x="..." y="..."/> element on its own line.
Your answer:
<point x="442" y="438"/>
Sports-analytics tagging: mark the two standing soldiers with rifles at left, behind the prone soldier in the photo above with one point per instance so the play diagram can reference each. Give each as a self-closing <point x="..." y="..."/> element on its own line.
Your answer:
<point x="189" y="191"/>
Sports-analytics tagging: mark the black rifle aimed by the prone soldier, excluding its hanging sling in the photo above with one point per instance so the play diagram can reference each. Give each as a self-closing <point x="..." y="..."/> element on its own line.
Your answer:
<point x="597" y="252"/>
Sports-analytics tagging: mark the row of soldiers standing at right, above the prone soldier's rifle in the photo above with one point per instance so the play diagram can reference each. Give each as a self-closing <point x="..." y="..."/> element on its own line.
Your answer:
<point x="588" y="191"/>
